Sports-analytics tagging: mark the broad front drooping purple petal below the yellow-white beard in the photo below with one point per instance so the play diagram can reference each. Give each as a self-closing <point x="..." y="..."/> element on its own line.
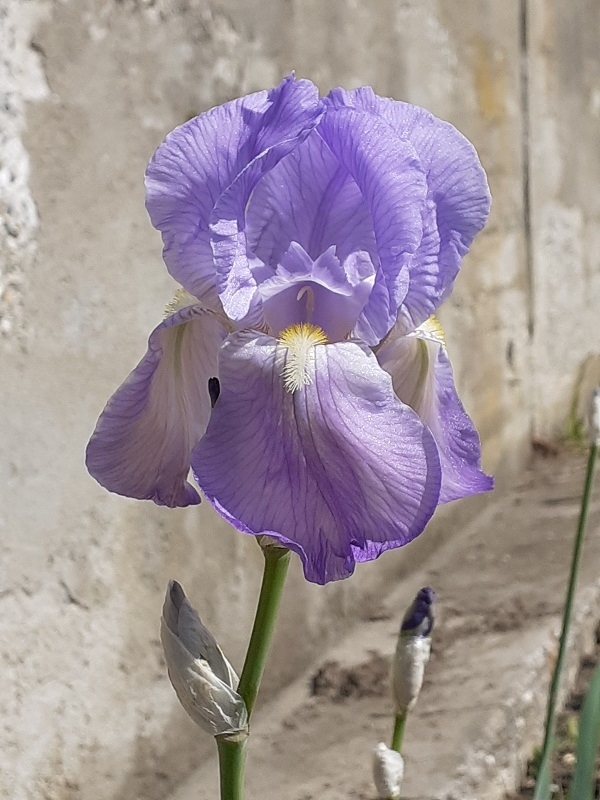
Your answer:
<point x="337" y="471"/>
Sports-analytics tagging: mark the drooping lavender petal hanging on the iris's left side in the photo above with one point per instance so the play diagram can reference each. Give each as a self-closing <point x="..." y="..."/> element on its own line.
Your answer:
<point x="142" y="443"/>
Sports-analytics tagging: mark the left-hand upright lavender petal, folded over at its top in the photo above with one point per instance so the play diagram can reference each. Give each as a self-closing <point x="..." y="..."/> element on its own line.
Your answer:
<point x="202" y="157"/>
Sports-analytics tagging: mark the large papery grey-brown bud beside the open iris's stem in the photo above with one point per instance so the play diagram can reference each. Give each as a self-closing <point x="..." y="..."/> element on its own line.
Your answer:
<point x="203" y="679"/>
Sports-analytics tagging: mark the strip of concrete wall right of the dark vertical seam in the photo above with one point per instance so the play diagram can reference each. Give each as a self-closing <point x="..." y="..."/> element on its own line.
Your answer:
<point x="564" y="144"/>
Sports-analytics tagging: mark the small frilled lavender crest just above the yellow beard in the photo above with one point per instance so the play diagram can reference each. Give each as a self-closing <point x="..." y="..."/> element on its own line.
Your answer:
<point x="325" y="293"/>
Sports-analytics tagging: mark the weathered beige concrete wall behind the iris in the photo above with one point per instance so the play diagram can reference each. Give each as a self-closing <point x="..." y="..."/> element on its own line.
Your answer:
<point x="88" y="90"/>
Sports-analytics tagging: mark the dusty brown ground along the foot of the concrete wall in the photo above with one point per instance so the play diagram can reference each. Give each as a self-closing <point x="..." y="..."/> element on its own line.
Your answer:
<point x="500" y="587"/>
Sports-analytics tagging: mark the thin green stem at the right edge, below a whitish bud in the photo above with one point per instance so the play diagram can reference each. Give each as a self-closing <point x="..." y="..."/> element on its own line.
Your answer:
<point x="568" y="609"/>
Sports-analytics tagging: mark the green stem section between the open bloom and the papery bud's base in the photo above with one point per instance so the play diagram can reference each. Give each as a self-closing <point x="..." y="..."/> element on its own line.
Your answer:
<point x="276" y="565"/>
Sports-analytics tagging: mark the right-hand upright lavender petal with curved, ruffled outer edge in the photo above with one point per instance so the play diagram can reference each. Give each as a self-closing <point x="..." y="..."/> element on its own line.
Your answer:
<point x="457" y="192"/>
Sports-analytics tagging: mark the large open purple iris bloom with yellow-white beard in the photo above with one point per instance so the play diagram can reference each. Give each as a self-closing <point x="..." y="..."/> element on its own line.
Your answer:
<point x="300" y="371"/>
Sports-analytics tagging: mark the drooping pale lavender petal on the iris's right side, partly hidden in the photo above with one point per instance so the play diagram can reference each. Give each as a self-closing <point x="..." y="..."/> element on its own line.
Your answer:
<point x="422" y="378"/>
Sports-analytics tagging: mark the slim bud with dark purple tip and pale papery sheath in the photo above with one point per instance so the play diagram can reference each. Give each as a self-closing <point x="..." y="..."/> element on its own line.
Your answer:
<point x="412" y="651"/>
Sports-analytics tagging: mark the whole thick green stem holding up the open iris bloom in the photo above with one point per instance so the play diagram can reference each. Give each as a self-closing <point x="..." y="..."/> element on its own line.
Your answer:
<point x="232" y="751"/>
